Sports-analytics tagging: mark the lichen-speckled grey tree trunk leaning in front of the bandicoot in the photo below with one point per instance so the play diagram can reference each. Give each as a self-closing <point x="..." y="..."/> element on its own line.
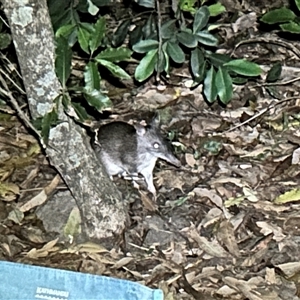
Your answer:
<point x="69" y="151"/>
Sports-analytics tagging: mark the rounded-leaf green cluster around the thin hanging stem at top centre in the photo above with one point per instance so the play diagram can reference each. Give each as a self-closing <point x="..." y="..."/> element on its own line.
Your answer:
<point x="176" y="37"/>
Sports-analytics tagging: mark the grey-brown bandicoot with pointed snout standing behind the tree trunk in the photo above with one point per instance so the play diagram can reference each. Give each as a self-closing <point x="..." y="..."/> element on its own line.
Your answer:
<point x="123" y="148"/>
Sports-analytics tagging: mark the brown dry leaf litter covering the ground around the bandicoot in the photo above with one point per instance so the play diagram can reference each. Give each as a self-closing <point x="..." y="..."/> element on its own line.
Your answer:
<point x="225" y="225"/>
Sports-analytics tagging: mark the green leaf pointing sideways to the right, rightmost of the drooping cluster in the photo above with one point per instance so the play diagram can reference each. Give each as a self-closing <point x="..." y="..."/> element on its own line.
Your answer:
<point x="243" y="67"/>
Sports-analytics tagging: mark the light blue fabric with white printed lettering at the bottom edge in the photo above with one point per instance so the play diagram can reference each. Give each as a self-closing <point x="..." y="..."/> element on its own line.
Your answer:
<point x="26" y="282"/>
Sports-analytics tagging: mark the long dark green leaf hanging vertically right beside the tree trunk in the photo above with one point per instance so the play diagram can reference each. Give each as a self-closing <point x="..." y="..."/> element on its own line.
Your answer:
<point x="63" y="60"/>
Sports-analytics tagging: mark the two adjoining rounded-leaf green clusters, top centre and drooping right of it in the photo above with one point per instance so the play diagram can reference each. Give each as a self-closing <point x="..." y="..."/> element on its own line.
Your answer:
<point x="190" y="39"/>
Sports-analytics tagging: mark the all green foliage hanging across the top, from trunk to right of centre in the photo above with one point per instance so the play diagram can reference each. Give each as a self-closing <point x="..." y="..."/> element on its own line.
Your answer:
<point x="185" y="37"/>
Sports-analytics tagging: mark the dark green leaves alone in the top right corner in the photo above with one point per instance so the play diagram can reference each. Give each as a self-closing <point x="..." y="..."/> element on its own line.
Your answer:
<point x="287" y="19"/>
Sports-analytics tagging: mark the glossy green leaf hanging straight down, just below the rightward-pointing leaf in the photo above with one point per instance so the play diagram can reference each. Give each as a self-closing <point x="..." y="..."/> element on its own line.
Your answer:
<point x="224" y="85"/>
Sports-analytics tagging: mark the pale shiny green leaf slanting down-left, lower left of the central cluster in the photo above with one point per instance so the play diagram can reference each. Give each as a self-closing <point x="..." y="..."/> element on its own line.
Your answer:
<point x="146" y="66"/>
